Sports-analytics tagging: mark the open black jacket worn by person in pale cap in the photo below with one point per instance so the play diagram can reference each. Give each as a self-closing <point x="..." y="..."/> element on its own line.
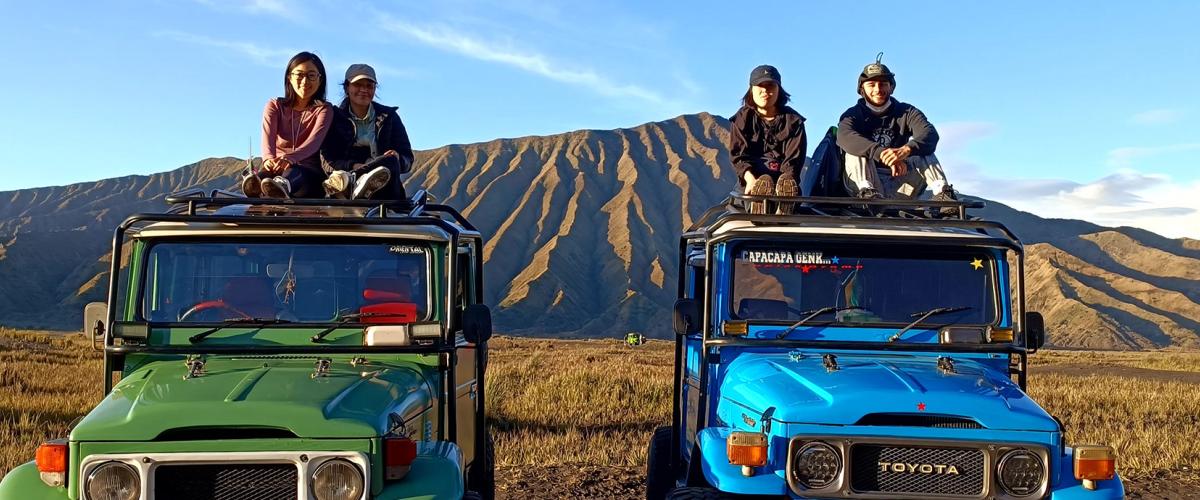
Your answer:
<point x="339" y="150"/>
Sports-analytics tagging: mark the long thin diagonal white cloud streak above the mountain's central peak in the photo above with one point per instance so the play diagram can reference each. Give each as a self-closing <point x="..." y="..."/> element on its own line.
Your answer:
<point x="449" y="40"/>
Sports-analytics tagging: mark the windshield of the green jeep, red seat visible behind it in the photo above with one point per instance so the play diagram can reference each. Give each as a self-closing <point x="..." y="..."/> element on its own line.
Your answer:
<point x="307" y="282"/>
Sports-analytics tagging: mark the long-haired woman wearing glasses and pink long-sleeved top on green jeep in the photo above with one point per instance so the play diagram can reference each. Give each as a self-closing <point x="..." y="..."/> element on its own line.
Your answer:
<point x="293" y="130"/>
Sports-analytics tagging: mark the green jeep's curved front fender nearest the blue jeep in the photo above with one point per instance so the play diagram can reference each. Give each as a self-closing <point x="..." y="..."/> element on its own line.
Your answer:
<point x="437" y="473"/>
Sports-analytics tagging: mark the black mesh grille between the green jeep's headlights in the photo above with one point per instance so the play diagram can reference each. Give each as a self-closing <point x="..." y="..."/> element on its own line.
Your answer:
<point x="226" y="481"/>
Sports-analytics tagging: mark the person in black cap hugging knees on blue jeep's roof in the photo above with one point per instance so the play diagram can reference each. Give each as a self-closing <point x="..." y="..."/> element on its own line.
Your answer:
<point x="767" y="141"/>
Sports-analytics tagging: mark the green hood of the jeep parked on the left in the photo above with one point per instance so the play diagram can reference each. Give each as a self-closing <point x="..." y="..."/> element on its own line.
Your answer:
<point x="266" y="393"/>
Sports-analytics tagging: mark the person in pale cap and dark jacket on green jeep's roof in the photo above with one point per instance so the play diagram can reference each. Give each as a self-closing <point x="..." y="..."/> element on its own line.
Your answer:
<point x="368" y="148"/>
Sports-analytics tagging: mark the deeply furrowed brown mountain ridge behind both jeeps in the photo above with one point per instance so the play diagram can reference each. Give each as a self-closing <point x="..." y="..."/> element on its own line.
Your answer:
<point x="583" y="231"/>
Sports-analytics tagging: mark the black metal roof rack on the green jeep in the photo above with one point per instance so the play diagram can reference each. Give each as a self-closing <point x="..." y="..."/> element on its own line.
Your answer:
<point x="197" y="202"/>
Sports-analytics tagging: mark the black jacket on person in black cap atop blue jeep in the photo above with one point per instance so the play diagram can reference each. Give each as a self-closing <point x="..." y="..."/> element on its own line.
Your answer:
<point x="757" y="143"/>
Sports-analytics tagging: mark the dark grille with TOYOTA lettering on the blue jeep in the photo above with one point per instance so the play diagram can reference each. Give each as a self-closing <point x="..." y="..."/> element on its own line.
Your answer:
<point x="869" y="477"/>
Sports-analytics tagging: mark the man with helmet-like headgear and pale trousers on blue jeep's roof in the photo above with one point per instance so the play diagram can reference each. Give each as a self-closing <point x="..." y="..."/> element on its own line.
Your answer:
<point x="890" y="144"/>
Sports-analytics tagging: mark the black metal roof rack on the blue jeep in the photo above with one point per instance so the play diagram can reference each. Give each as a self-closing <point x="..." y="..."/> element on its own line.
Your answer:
<point x="854" y="212"/>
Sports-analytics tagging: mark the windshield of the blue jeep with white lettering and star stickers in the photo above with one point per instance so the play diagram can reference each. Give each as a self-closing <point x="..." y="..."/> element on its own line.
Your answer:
<point x="881" y="286"/>
